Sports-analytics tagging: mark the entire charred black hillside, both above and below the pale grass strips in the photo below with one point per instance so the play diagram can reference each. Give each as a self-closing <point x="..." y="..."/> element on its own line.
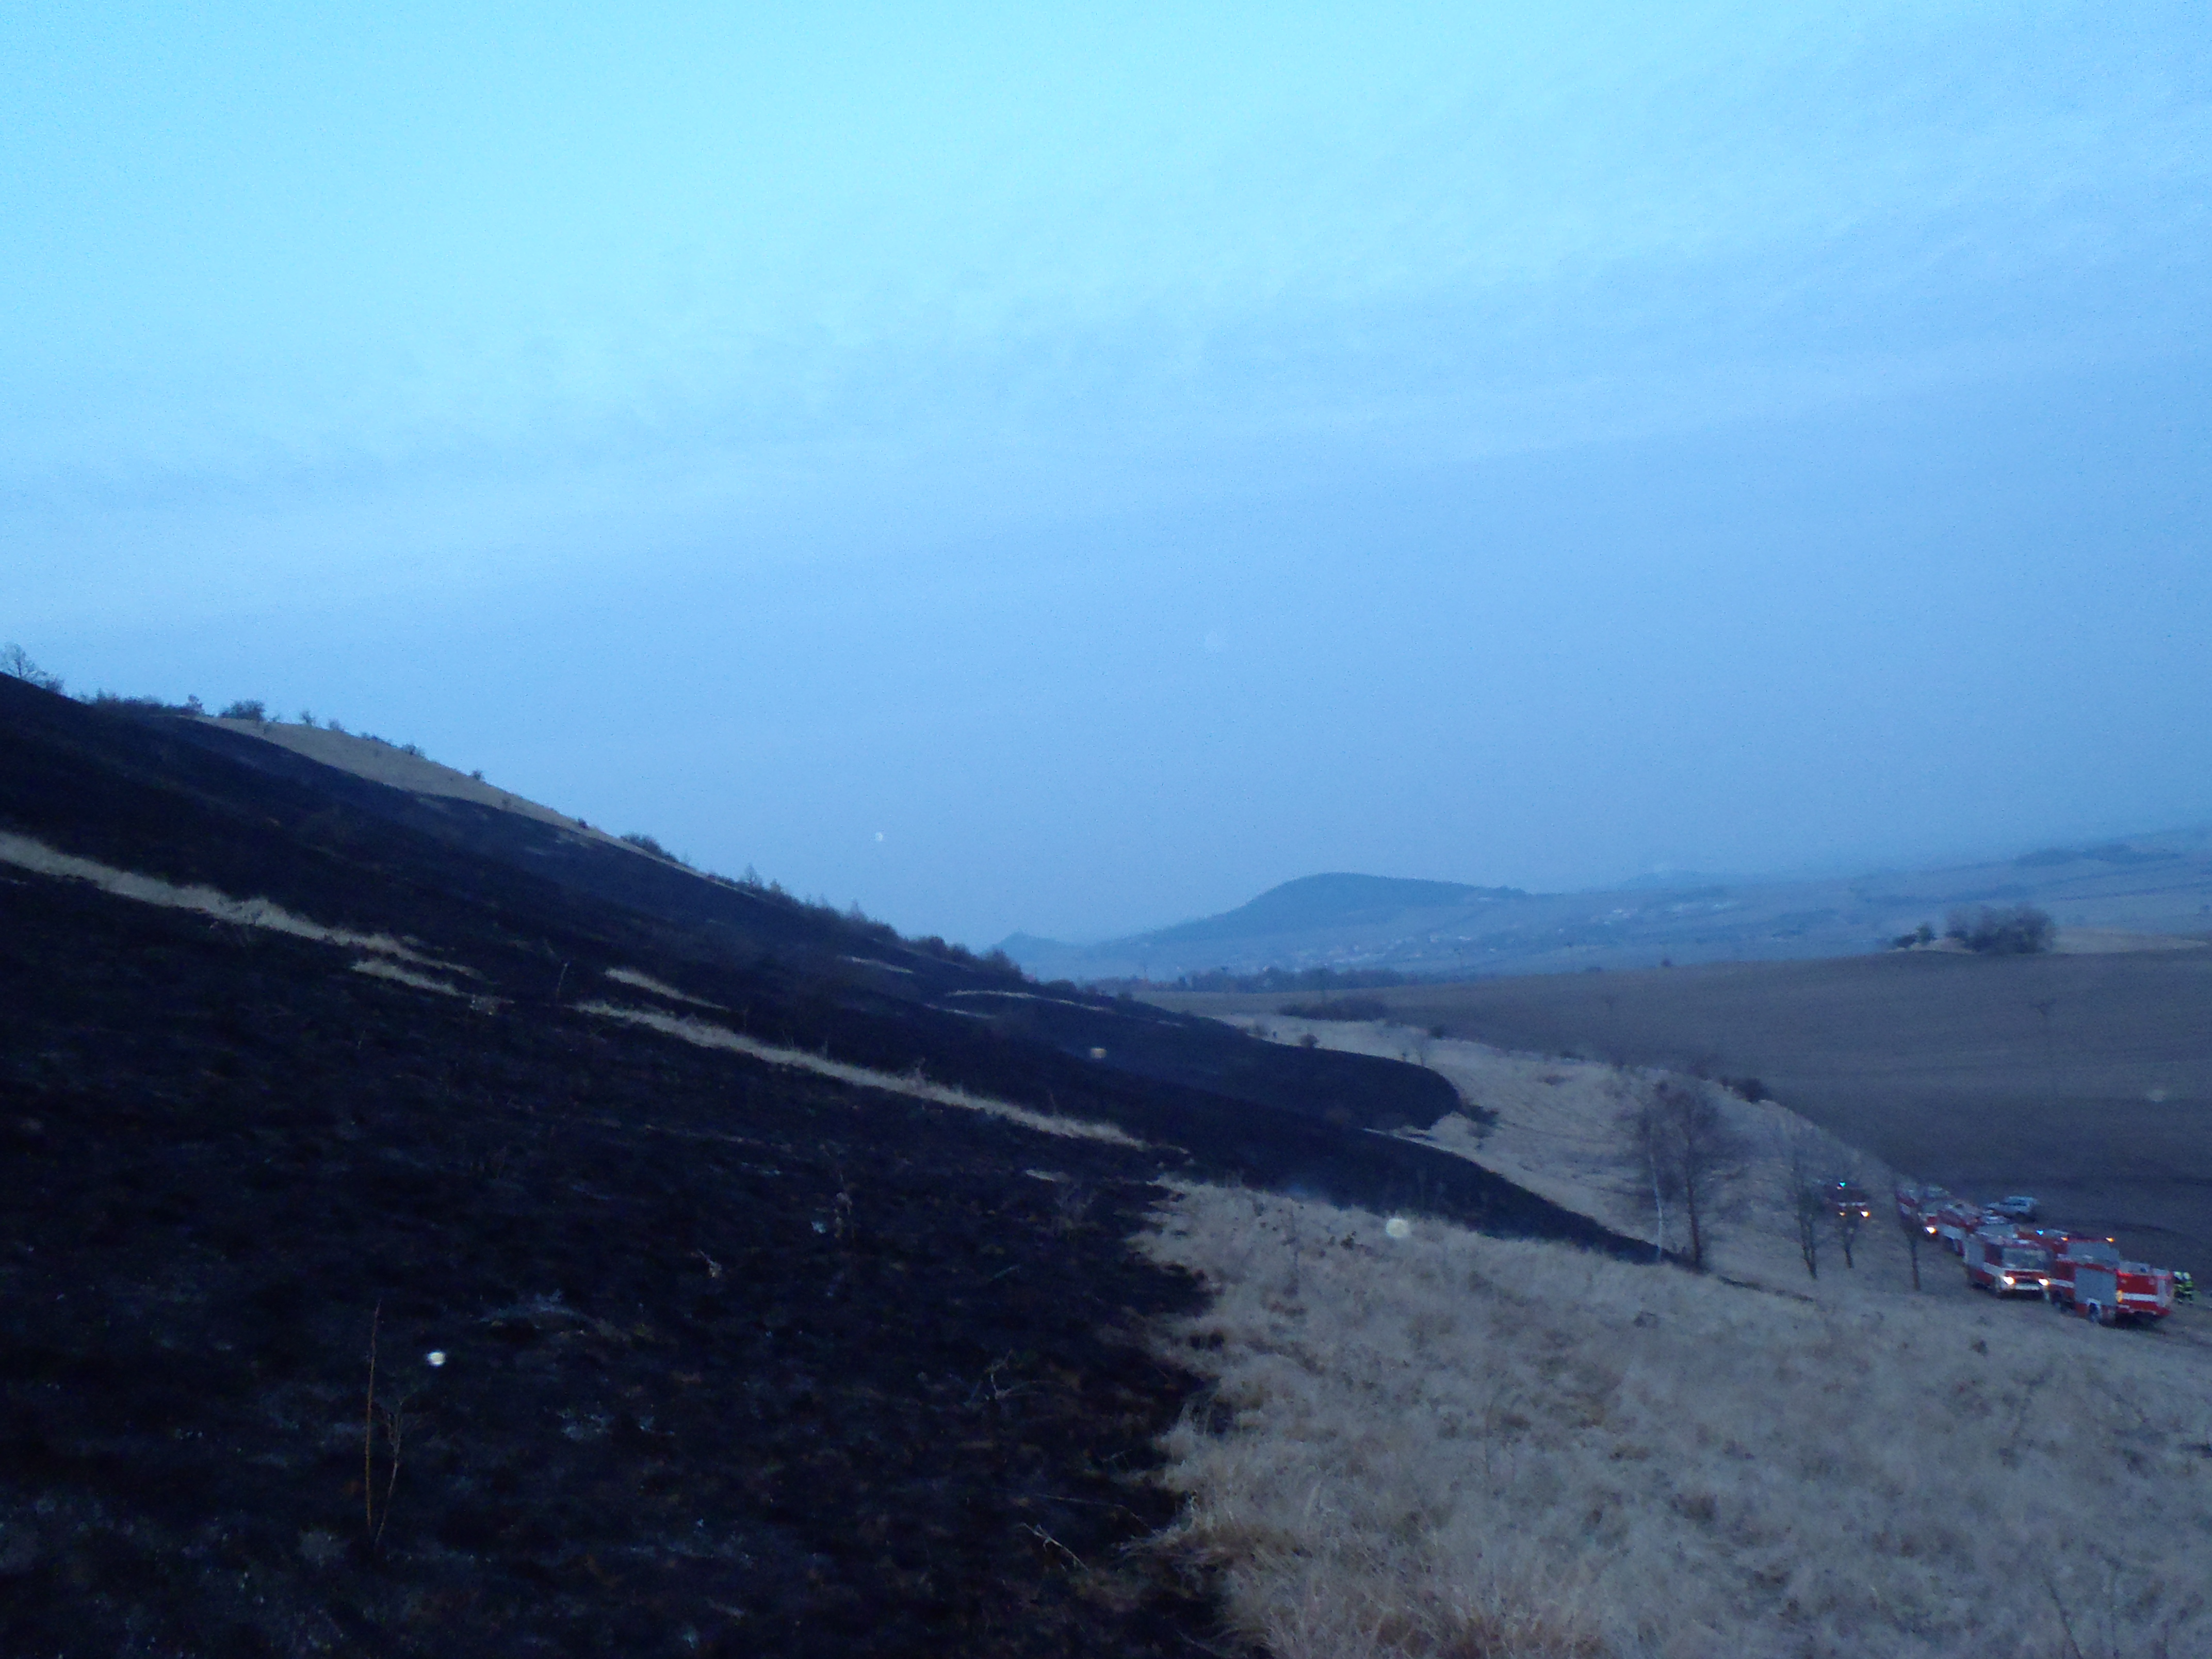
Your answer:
<point x="738" y="1359"/>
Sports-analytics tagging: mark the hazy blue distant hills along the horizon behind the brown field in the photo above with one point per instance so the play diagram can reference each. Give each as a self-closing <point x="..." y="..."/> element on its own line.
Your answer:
<point x="2105" y="897"/>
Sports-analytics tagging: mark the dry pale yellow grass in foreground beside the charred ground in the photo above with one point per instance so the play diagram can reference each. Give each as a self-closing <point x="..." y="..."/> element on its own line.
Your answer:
<point x="1461" y="1446"/>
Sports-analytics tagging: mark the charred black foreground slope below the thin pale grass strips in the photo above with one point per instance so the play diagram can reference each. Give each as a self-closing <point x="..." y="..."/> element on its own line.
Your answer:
<point x="735" y="1361"/>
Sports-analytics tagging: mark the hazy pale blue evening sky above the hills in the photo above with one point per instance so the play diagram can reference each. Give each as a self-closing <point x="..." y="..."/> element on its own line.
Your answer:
<point x="1065" y="474"/>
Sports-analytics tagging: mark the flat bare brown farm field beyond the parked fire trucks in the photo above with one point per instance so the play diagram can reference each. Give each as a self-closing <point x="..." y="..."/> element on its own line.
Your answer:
<point x="2080" y="1078"/>
